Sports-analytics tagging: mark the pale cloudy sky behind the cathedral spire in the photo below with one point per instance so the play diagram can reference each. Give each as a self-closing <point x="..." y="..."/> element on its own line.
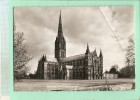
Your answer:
<point x="81" y="25"/>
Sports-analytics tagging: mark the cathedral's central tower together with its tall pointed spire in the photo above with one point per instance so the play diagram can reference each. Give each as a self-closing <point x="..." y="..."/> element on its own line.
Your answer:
<point x="60" y="43"/>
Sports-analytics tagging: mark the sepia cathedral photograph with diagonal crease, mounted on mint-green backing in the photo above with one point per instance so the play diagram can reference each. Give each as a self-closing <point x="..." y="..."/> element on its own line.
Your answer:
<point x="73" y="48"/>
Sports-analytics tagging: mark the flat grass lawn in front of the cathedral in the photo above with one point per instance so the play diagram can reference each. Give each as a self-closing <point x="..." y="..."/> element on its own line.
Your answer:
<point x="60" y="85"/>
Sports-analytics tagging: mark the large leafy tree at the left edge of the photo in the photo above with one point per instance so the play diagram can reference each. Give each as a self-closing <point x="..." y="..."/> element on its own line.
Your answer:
<point x="21" y="56"/>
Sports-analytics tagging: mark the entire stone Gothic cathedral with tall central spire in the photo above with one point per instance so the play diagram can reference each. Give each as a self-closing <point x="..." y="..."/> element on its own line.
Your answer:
<point x="83" y="66"/>
